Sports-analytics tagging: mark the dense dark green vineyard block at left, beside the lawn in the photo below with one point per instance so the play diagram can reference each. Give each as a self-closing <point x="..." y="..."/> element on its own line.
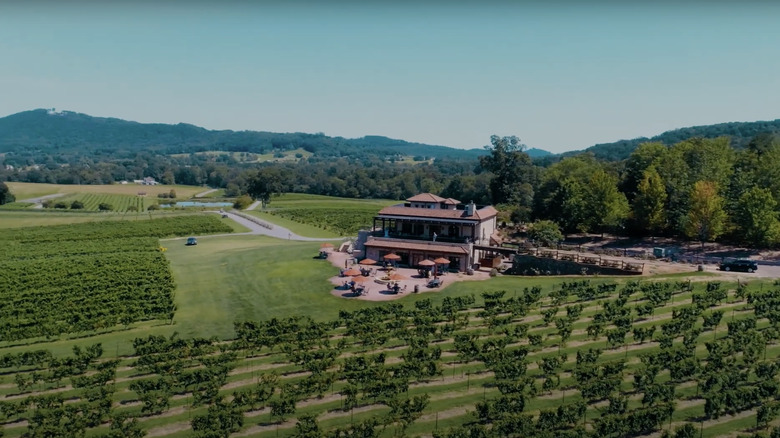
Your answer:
<point x="88" y="277"/>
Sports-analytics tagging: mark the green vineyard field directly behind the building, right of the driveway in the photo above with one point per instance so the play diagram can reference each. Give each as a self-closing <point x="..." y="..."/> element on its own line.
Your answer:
<point x="323" y="216"/>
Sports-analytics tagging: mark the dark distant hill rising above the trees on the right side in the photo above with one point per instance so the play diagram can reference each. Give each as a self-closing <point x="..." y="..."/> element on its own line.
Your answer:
<point x="740" y="132"/>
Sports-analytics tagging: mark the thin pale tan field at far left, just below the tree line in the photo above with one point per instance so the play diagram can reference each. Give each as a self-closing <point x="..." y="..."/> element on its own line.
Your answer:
<point x="34" y="190"/>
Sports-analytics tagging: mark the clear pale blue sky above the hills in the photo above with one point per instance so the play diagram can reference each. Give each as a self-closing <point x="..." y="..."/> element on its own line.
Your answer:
<point x="559" y="75"/>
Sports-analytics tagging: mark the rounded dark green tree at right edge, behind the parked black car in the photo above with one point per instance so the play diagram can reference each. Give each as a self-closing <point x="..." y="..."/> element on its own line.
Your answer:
<point x="757" y="218"/>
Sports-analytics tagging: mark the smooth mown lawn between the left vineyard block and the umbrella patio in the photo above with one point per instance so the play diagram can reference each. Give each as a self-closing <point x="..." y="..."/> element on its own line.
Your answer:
<point x="237" y="278"/>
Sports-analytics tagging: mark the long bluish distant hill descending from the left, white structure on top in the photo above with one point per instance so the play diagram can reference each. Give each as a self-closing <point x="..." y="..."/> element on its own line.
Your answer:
<point x="47" y="132"/>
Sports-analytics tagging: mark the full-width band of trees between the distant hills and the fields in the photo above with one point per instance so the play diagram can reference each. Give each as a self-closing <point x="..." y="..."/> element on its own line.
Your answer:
<point x="703" y="189"/>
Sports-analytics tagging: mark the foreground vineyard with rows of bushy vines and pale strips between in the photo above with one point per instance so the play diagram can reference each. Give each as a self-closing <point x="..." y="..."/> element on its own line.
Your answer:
<point x="580" y="358"/>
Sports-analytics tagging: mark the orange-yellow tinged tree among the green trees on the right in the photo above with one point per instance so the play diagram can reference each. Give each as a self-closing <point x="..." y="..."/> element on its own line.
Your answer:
<point x="706" y="219"/>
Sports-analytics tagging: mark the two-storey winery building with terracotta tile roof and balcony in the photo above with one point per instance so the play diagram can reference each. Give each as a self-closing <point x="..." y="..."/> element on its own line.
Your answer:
<point x="427" y="226"/>
